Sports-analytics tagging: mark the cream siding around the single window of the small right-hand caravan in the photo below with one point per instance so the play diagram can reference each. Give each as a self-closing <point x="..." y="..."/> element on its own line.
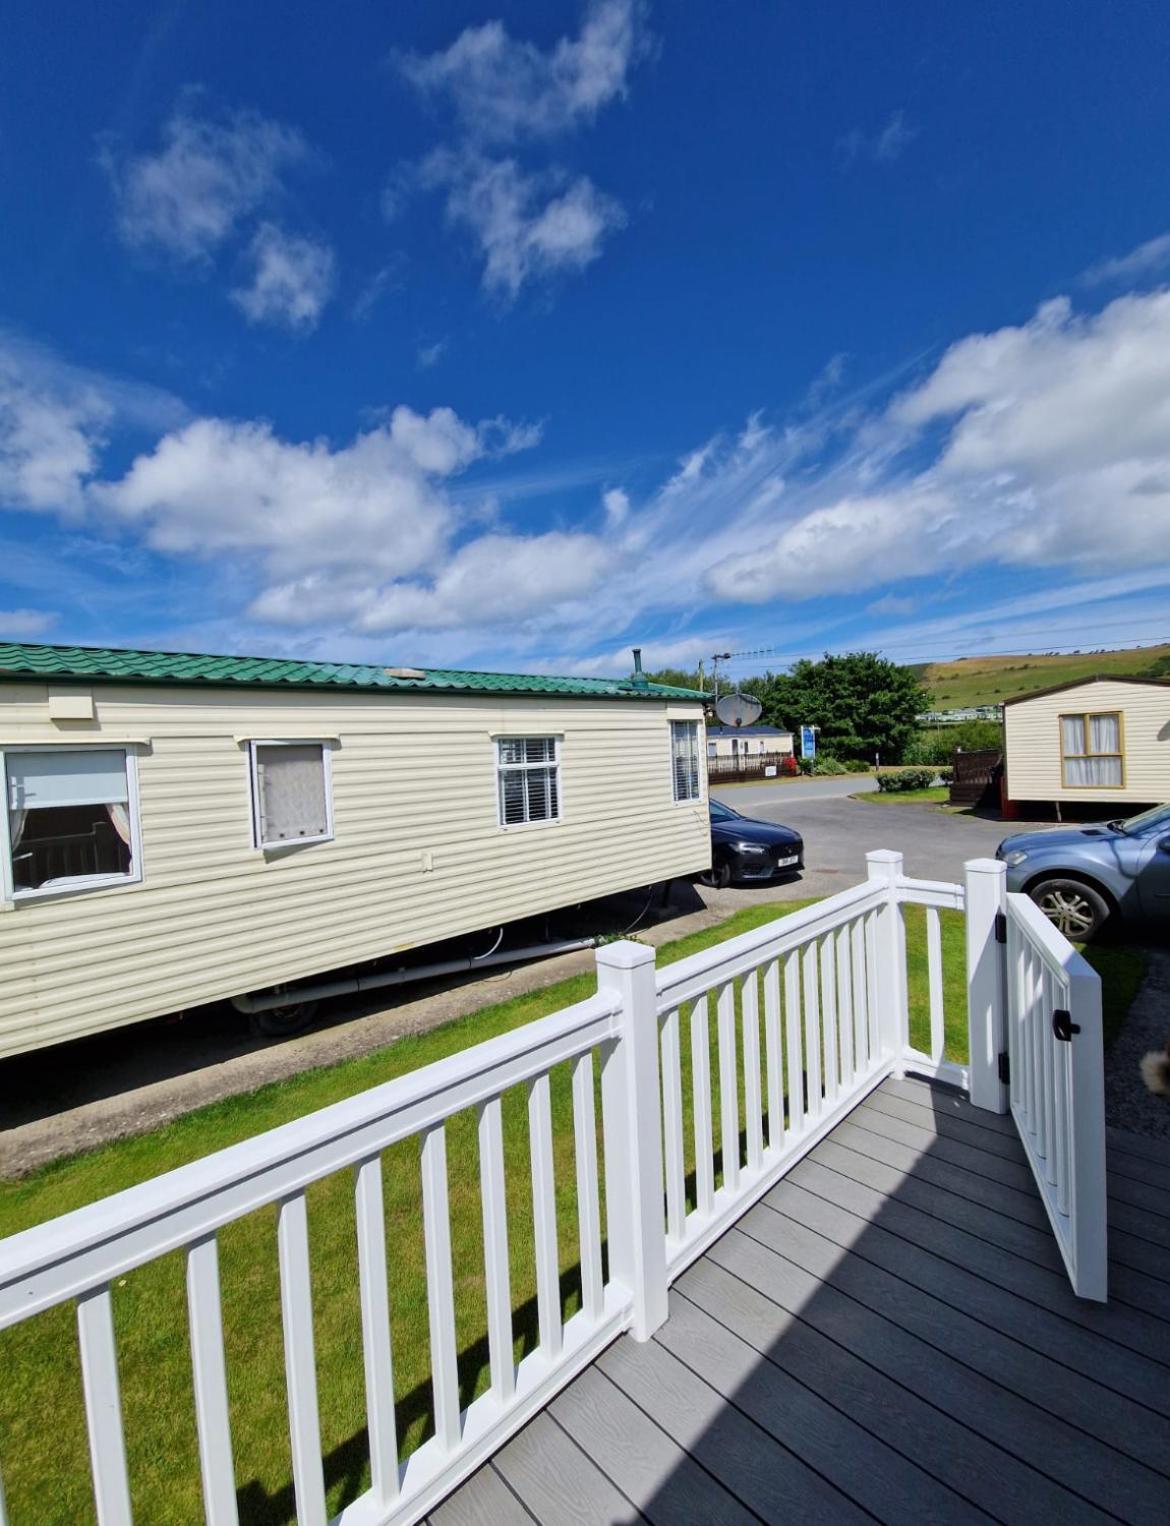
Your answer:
<point x="1032" y="741"/>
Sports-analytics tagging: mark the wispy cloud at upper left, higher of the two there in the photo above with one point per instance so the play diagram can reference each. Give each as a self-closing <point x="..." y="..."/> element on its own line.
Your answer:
<point x="190" y="196"/>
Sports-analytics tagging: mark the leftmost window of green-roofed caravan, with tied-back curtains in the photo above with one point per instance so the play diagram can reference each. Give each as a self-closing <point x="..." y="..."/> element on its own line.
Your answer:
<point x="71" y="820"/>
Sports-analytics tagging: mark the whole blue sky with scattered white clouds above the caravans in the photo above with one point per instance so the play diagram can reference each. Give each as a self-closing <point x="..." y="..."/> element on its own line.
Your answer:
<point x="516" y="335"/>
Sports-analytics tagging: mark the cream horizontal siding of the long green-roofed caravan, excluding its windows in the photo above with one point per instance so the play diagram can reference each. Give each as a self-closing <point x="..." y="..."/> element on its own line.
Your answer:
<point x="417" y="854"/>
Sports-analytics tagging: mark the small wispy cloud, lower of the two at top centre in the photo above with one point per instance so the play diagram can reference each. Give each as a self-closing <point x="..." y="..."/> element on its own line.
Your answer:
<point x="529" y="227"/>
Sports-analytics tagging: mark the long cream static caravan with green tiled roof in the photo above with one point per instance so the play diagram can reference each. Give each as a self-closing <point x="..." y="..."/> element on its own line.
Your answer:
<point x="187" y="829"/>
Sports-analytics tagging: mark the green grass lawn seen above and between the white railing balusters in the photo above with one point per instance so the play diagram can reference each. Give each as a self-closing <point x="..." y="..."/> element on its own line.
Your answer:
<point x="43" y="1455"/>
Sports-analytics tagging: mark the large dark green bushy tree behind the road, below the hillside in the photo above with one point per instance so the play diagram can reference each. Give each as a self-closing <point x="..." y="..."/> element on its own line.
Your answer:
<point x="863" y="703"/>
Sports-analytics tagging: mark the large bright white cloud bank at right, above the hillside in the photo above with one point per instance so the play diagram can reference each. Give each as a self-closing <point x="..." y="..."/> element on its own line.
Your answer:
<point x="1055" y="452"/>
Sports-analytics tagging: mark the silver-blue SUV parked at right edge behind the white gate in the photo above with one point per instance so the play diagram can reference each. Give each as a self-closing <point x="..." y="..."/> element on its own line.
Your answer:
<point x="1082" y="877"/>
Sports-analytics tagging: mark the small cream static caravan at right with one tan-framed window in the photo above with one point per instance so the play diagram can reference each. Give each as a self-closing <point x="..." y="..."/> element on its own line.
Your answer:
<point x="1101" y="741"/>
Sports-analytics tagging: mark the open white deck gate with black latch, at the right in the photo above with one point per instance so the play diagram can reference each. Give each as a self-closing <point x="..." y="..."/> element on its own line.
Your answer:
<point x="1055" y="1075"/>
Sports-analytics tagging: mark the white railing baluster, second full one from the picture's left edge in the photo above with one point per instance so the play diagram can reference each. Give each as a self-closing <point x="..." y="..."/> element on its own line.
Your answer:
<point x="210" y="1374"/>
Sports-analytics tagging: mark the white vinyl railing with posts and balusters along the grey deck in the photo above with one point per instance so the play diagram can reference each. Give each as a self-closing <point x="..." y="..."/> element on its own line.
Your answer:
<point x="809" y="1014"/>
